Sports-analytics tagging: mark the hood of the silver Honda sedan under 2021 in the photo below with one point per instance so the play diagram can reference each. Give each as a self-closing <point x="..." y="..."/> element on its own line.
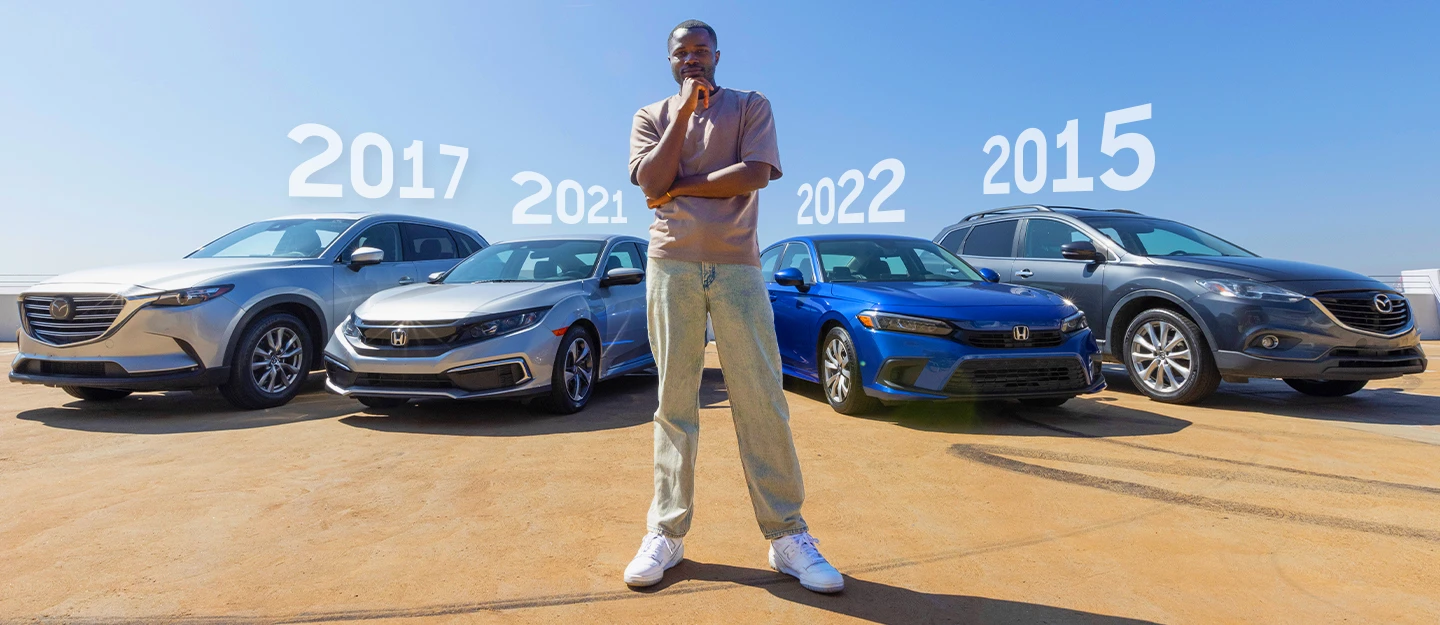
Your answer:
<point x="454" y="302"/>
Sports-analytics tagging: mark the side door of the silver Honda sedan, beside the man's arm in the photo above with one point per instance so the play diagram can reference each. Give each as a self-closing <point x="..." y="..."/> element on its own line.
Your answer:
<point x="626" y="331"/>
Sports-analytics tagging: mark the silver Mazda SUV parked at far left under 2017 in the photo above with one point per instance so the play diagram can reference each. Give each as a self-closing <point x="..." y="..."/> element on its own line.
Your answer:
<point x="248" y="313"/>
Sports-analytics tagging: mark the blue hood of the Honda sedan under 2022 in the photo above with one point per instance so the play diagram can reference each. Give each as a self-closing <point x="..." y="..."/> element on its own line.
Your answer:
<point x="947" y="294"/>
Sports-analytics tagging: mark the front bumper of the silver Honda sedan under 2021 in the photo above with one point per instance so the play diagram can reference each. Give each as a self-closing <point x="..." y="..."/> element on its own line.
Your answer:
<point x="510" y="367"/>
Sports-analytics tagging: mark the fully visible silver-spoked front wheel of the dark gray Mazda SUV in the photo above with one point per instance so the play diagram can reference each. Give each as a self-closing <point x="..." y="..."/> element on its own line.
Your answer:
<point x="1182" y="369"/>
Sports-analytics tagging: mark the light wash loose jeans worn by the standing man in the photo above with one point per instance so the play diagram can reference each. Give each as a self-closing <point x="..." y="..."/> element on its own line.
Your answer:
<point x="679" y="294"/>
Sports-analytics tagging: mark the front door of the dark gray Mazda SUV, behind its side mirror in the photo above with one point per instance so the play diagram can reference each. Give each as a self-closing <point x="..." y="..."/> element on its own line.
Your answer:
<point x="1042" y="266"/>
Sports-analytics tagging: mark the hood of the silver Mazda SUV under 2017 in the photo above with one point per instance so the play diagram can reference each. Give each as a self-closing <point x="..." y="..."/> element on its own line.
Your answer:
<point x="166" y="276"/>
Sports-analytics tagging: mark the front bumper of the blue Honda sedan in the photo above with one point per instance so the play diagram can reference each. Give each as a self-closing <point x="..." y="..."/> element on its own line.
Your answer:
<point x="902" y="368"/>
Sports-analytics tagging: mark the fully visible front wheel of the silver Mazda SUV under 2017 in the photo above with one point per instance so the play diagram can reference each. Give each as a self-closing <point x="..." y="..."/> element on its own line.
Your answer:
<point x="270" y="364"/>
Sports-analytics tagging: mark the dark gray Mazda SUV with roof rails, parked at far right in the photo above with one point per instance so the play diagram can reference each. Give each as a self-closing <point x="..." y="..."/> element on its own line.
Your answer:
<point x="1183" y="309"/>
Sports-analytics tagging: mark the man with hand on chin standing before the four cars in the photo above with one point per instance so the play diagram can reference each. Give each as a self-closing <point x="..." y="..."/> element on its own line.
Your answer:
<point x="702" y="156"/>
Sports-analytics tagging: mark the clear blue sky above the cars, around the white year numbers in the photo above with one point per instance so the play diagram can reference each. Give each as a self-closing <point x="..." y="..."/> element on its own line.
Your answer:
<point x="139" y="132"/>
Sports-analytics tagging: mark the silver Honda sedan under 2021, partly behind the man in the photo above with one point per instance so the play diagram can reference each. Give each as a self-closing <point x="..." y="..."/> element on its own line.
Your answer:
<point x="544" y="318"/>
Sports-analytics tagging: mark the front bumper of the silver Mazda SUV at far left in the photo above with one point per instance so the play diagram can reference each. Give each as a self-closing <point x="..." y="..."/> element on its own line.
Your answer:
<point x="146" y="349"/>
